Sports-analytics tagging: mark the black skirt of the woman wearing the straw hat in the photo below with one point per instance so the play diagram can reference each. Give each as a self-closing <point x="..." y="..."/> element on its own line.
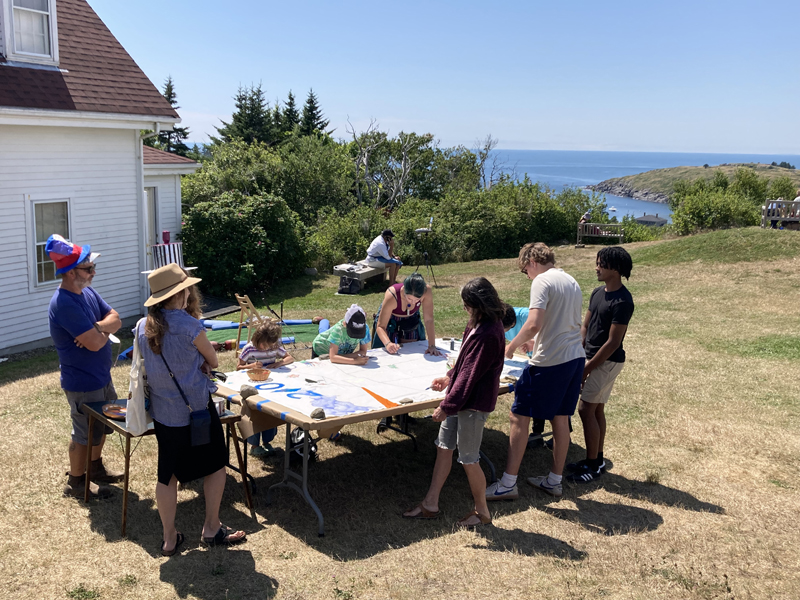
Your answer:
<point x="177" y="456"/>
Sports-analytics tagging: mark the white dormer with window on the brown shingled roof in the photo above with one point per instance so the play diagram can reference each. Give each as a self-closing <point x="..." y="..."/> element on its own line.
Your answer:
<point x="28" y="31"/>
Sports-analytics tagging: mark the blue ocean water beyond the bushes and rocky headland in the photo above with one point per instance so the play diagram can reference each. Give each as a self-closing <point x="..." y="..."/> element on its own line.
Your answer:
<point x="562" y="168"/>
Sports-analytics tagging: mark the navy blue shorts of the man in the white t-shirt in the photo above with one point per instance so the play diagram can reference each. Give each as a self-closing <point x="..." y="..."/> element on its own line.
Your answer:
<point x="547" y="392"/>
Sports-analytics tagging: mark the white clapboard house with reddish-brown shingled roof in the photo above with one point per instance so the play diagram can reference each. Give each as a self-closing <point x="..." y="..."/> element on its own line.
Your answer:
<point x="72" y="105"/>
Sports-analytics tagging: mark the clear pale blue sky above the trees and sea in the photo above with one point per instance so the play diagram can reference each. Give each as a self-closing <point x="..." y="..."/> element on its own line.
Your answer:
<point x="701" y="76"/>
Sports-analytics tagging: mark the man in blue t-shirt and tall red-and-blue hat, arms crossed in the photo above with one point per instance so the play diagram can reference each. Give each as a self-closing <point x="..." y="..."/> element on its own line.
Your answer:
<point x="80" y="323"/>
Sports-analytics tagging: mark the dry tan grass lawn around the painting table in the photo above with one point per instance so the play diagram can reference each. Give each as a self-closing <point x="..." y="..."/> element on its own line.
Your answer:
<point x="701" y="501"/>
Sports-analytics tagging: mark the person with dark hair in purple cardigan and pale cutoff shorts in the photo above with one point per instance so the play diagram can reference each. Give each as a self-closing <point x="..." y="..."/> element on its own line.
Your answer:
<point x="472" y="386"/>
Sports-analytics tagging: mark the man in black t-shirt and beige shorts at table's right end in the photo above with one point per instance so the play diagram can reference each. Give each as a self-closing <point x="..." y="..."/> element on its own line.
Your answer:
<point x="603" y="329"/>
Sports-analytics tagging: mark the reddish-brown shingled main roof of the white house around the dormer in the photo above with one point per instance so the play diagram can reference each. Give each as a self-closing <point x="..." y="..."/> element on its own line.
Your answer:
<point x="101" y="76"/>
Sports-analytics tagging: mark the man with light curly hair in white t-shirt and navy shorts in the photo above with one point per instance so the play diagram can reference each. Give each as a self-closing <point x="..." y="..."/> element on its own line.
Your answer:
<point x="551" y="383"/>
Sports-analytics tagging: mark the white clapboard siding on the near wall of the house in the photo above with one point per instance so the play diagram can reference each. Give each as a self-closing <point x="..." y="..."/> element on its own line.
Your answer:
<point x="97" y="170"/>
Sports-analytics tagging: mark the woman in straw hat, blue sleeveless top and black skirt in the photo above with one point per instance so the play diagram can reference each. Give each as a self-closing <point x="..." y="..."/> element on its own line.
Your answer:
<point x="176" y="353"/>
